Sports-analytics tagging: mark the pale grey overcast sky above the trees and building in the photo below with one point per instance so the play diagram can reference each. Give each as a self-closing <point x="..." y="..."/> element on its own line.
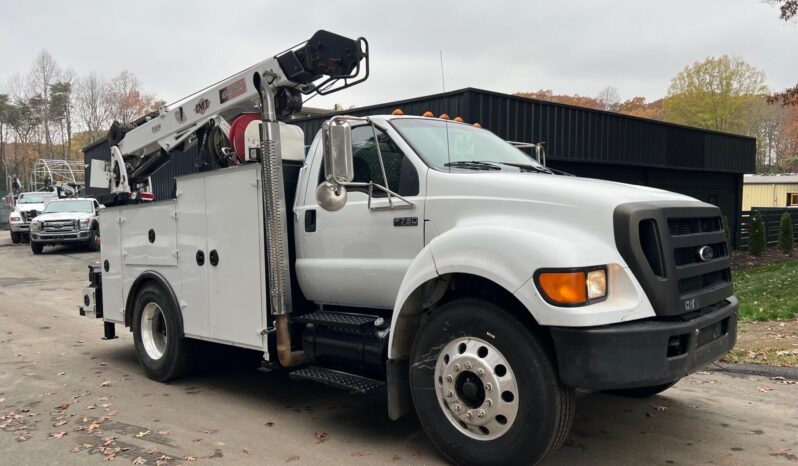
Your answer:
<point x="571" y="47"/>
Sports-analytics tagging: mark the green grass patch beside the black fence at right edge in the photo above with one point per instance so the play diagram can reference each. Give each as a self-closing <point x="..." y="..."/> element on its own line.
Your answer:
<point x="768" y="293"/>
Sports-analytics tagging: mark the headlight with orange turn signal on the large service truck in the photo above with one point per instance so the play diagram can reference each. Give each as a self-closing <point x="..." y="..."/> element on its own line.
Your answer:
<point x="572" y="287"/>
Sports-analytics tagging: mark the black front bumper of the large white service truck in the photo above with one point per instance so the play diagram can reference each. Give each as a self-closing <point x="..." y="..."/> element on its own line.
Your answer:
<point x="644" y="353"/>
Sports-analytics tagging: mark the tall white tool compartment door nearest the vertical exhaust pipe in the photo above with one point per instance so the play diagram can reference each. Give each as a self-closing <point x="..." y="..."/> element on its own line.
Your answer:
<point x="234" y="256"/>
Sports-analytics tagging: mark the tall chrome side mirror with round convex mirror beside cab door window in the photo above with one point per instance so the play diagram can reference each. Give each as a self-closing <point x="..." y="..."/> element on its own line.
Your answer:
<point x="336" y="135"/>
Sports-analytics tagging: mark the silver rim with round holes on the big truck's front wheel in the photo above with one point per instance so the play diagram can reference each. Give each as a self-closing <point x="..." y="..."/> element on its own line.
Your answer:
<point x="482" y="412"/>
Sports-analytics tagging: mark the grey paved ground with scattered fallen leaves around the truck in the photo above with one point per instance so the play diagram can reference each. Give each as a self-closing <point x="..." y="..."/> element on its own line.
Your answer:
<point x="57" y="375"/>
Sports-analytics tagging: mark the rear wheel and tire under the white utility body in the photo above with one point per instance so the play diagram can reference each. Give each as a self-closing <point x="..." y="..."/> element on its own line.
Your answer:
<point x="161" y="351"/>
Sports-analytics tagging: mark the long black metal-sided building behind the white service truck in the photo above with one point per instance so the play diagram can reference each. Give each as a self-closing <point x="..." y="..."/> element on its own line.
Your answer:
<point x="707" y="165"/>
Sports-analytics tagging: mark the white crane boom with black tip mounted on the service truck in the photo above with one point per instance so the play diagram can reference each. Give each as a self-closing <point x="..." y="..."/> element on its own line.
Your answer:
<point x="324" y="64"/>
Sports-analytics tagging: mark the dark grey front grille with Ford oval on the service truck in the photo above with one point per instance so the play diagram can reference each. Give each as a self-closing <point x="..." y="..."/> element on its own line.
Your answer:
<point x="678" y="253"/>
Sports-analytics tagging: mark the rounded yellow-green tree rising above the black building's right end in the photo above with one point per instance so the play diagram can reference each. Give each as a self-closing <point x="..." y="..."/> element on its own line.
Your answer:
<point x="714" y="94"/>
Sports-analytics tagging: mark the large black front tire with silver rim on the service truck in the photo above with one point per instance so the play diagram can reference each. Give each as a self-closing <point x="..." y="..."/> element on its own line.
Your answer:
<point x="519" y="429"/>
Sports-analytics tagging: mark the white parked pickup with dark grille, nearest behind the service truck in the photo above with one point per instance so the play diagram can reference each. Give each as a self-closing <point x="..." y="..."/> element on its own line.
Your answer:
<point x="66" y="221"/>
